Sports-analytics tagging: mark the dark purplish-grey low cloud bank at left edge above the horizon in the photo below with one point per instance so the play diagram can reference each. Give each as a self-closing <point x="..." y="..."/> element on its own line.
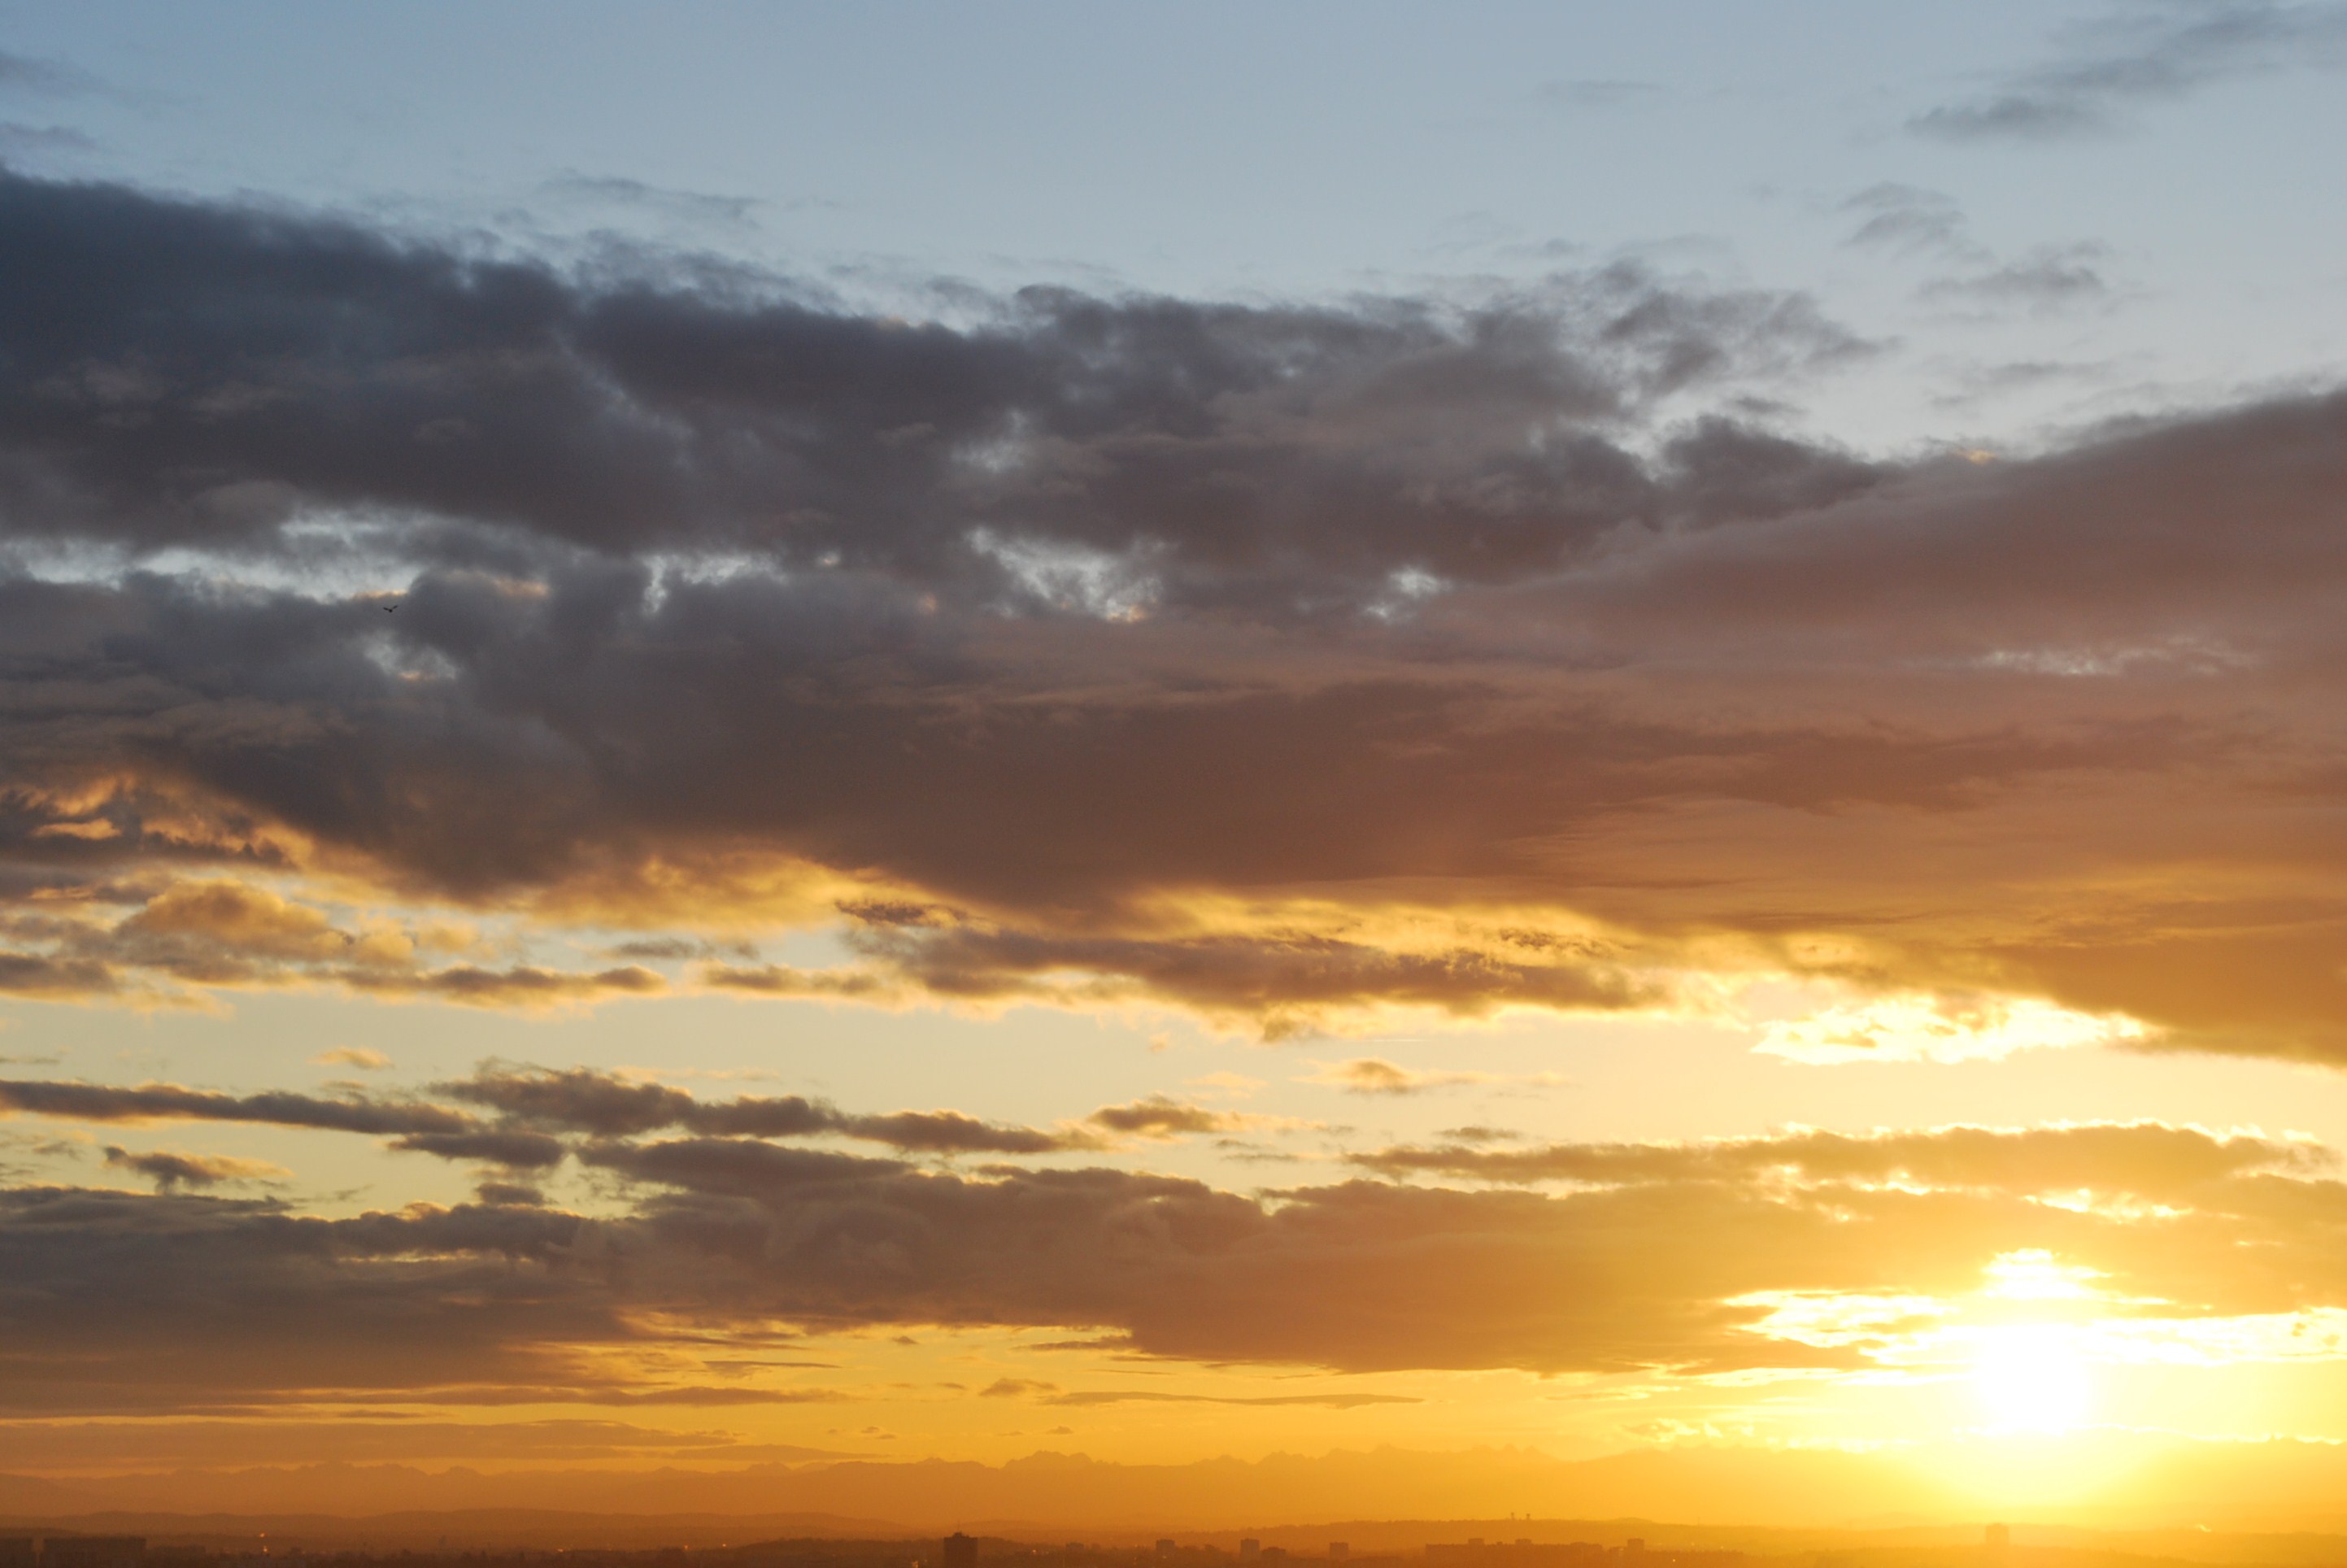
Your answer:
<point x="175" y="1302"/>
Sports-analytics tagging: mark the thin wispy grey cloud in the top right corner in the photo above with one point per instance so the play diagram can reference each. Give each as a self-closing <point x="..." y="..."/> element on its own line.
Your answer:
<point x="2139" y="58"/>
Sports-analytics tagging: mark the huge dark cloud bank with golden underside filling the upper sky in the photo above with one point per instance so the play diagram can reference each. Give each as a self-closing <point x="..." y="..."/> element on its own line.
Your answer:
<point x="1287" y="665"/>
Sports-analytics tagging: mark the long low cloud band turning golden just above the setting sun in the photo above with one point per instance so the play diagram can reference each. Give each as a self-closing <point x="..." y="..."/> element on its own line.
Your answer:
<point x="1642" y="1264"/>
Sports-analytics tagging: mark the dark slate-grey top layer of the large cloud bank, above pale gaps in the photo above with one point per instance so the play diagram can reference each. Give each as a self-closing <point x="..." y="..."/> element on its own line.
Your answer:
<point x="201" y="374"/>
